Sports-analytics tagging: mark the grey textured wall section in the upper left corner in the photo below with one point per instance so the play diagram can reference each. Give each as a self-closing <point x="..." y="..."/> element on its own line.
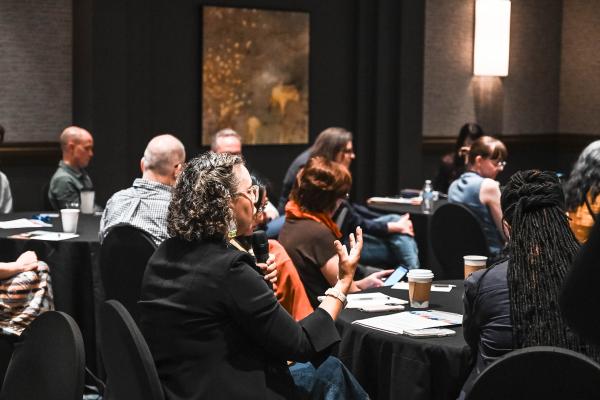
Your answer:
<point x="35" y="68"/>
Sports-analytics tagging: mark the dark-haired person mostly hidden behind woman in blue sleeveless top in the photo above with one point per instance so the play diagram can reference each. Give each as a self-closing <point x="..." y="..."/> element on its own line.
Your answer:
<point x="452" y="165"/>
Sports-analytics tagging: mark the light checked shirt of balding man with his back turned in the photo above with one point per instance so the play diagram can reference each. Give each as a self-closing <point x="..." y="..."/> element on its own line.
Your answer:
<point x="144" y="205"/>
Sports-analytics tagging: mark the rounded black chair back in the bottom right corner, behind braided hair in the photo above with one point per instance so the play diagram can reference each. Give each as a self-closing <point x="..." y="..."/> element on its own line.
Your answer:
<point x="538" y="373"/>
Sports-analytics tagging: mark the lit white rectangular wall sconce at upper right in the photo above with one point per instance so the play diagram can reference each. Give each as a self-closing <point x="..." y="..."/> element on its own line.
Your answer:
<point x="492" y="38"/>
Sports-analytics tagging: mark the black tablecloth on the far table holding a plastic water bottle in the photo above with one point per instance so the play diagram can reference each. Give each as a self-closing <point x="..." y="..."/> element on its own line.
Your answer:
<point x="421" y="222"/>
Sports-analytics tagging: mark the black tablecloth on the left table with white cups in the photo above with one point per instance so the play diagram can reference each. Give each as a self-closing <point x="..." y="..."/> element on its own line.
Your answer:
<point x="74" y="271"/>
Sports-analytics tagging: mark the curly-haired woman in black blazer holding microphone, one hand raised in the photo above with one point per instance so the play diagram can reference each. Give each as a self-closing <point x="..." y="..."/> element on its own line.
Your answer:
<point x="213" y="326"/>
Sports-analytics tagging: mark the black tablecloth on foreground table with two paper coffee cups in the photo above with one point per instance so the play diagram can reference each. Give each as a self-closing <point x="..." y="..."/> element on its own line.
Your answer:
<point x="399" y="367"/>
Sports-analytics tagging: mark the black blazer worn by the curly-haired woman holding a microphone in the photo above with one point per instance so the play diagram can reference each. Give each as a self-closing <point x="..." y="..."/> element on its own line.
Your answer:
<point x="216" y="330"/>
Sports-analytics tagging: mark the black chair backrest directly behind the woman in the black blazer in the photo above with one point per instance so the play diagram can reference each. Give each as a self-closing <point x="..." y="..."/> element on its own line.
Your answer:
<point x="131" y="373"/>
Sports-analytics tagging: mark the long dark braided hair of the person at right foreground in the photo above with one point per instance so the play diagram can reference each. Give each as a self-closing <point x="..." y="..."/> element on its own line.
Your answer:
<point x="541" y="248"/>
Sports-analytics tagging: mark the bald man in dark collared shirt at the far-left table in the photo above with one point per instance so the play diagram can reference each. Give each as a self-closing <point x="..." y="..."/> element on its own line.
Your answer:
<point x="70" y="177"/>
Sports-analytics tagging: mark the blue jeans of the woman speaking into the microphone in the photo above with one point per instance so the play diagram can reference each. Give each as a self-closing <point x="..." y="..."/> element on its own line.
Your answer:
<point x="331" y="381"/>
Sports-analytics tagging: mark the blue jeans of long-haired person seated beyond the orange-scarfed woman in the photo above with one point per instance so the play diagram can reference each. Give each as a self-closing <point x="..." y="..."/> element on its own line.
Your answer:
<point x="391" y="250"/>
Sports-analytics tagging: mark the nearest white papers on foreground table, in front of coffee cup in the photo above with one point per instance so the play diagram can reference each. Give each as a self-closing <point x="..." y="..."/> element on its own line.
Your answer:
<point x="400" y="322"/>
